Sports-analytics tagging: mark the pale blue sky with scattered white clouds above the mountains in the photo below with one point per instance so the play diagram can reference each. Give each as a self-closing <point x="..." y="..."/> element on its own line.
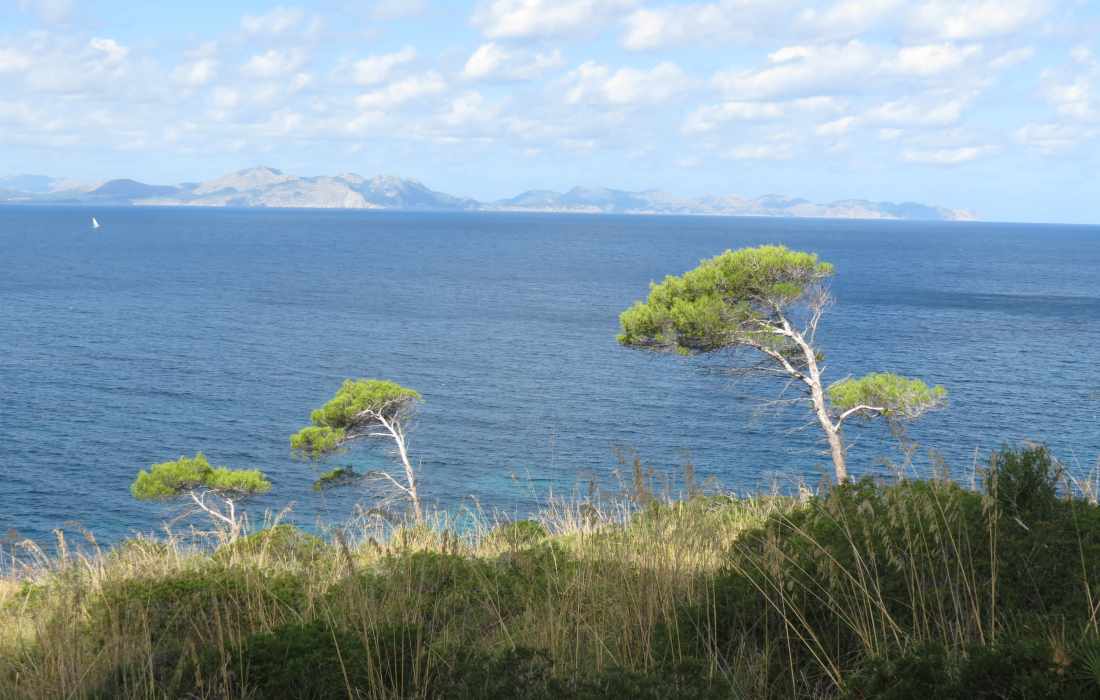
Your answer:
<point x="992" y="106"/>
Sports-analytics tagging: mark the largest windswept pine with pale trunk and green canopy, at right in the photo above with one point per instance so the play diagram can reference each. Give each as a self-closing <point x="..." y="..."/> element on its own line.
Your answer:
<point x="771" y="299"/>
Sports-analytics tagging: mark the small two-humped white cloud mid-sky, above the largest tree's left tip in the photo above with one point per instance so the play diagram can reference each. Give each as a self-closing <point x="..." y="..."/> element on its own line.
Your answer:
<point x="598" y="84"/>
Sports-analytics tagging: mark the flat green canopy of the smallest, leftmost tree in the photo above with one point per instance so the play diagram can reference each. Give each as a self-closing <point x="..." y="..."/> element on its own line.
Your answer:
<point x="170" y="480"/>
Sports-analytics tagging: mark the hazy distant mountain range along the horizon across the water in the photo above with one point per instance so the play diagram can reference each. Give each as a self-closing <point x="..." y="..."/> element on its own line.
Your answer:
<point x="269" y="188"/>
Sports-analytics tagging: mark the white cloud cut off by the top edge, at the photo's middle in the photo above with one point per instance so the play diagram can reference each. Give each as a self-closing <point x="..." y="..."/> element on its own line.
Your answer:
<point x="516" y="19"/>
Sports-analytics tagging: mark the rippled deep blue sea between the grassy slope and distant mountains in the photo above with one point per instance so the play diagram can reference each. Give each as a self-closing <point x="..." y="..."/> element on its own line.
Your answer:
<point x="170" y="332"/>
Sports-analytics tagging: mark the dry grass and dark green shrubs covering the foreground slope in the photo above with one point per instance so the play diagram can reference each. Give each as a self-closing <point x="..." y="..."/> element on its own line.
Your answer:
<point x="867" y="590"/>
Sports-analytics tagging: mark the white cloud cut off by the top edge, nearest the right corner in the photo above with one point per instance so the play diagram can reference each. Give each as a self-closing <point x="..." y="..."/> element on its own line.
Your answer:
<point x="976" y="19"/>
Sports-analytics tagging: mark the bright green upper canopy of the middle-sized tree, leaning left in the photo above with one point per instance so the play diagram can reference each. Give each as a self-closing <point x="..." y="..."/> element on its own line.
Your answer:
<point x="358" y="407"/>
